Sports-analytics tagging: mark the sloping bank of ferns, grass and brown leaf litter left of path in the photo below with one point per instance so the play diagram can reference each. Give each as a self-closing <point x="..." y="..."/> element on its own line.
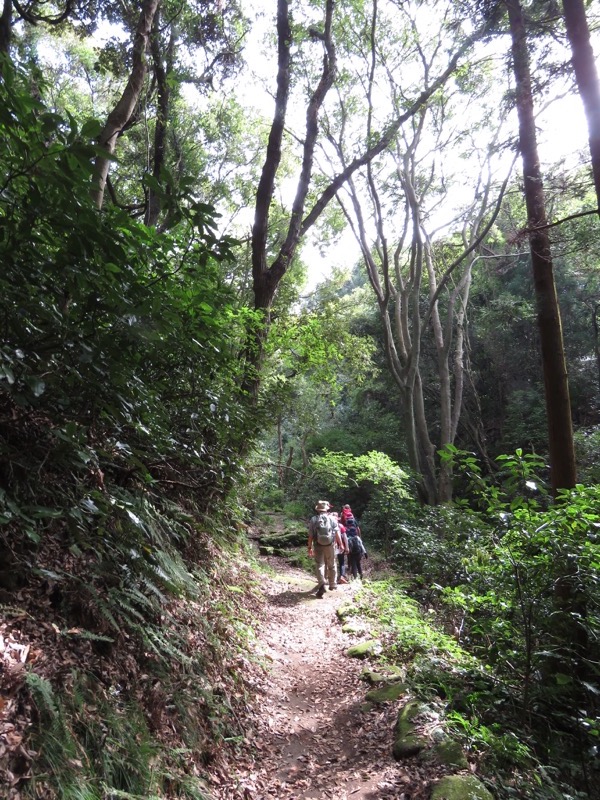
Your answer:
<point x="142" y="685"/>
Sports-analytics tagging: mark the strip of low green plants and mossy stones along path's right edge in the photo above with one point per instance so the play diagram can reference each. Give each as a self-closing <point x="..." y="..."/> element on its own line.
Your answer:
<point x="465" y="691"/>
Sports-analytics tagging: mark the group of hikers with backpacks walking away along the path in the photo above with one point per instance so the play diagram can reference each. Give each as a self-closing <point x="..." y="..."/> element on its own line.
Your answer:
<point x="332" y="538"/>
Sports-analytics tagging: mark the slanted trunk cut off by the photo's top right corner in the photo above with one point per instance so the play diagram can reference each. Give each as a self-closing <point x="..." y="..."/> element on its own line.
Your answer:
<point x="587" y="78"/>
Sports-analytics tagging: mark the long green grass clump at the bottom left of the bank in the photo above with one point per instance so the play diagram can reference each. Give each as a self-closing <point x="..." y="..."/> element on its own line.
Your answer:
<point x="94" y="744"/>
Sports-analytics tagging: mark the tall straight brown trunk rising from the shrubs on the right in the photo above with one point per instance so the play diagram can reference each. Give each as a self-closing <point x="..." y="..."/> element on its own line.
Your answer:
<point x="558" y="406"/>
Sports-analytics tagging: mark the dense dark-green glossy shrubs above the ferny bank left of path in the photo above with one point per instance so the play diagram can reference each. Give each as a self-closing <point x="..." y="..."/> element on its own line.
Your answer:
<point x="123" y="342"/>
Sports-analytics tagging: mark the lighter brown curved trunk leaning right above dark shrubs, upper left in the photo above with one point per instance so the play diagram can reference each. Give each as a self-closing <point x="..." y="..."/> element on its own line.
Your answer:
<point x="123" y="111"/>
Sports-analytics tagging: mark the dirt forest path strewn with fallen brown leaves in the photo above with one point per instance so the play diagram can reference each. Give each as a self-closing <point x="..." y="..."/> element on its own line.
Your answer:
<point x="311" y="739"/>
